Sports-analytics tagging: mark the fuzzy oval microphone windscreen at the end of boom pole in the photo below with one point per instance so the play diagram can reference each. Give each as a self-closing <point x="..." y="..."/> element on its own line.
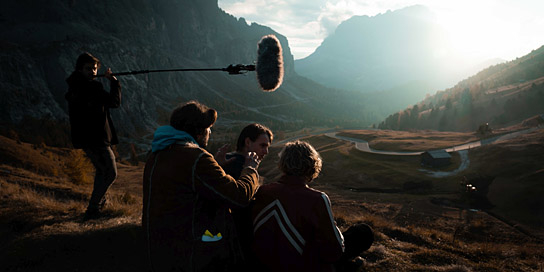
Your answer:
<point x="269" y="66"/>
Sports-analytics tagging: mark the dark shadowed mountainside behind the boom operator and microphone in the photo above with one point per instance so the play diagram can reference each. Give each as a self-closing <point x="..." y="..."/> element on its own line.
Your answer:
<point x="40" y="42"/>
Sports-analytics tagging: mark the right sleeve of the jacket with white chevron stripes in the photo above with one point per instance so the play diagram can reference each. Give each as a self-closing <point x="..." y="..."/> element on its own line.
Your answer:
<point x="329" y="239"/>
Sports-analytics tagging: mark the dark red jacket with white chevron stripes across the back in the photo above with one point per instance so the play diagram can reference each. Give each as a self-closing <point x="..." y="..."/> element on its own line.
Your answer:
<point x="294" y="229"/>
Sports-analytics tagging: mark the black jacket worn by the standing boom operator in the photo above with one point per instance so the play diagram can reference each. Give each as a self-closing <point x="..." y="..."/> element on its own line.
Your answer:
<point x="88" y="108"/>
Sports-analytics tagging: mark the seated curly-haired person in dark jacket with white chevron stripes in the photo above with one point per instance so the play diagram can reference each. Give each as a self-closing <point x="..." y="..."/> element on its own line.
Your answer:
<point x="293" y="224"/>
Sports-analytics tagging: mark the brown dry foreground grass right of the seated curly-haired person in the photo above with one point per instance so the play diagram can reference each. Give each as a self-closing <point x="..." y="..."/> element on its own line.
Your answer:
<point x="415" y="248"/>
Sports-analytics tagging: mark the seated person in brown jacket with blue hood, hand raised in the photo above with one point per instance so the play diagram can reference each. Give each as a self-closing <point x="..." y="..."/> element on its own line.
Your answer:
<point x="186" y="217"/>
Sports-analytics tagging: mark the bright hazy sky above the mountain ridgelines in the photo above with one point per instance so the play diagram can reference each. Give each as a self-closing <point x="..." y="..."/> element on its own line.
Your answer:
<point x="477" y="28"/>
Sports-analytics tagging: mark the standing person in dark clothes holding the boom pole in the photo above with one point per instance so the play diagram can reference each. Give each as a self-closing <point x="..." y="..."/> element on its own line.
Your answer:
<point x="91" y="125"/>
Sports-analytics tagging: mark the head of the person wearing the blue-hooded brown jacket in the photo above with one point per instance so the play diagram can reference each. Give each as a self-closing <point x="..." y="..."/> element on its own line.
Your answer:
<point x="195" y="119"/>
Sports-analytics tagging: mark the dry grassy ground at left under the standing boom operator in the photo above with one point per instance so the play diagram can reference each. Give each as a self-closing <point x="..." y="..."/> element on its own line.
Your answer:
<point x="43" y="229"/>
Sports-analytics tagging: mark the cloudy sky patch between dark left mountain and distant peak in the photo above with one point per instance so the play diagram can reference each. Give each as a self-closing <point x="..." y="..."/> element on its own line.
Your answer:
<point x="305" y="22"/>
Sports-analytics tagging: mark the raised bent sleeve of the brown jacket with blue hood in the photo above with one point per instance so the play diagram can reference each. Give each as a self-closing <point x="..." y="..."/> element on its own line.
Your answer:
<point x="211" y="182"/>
